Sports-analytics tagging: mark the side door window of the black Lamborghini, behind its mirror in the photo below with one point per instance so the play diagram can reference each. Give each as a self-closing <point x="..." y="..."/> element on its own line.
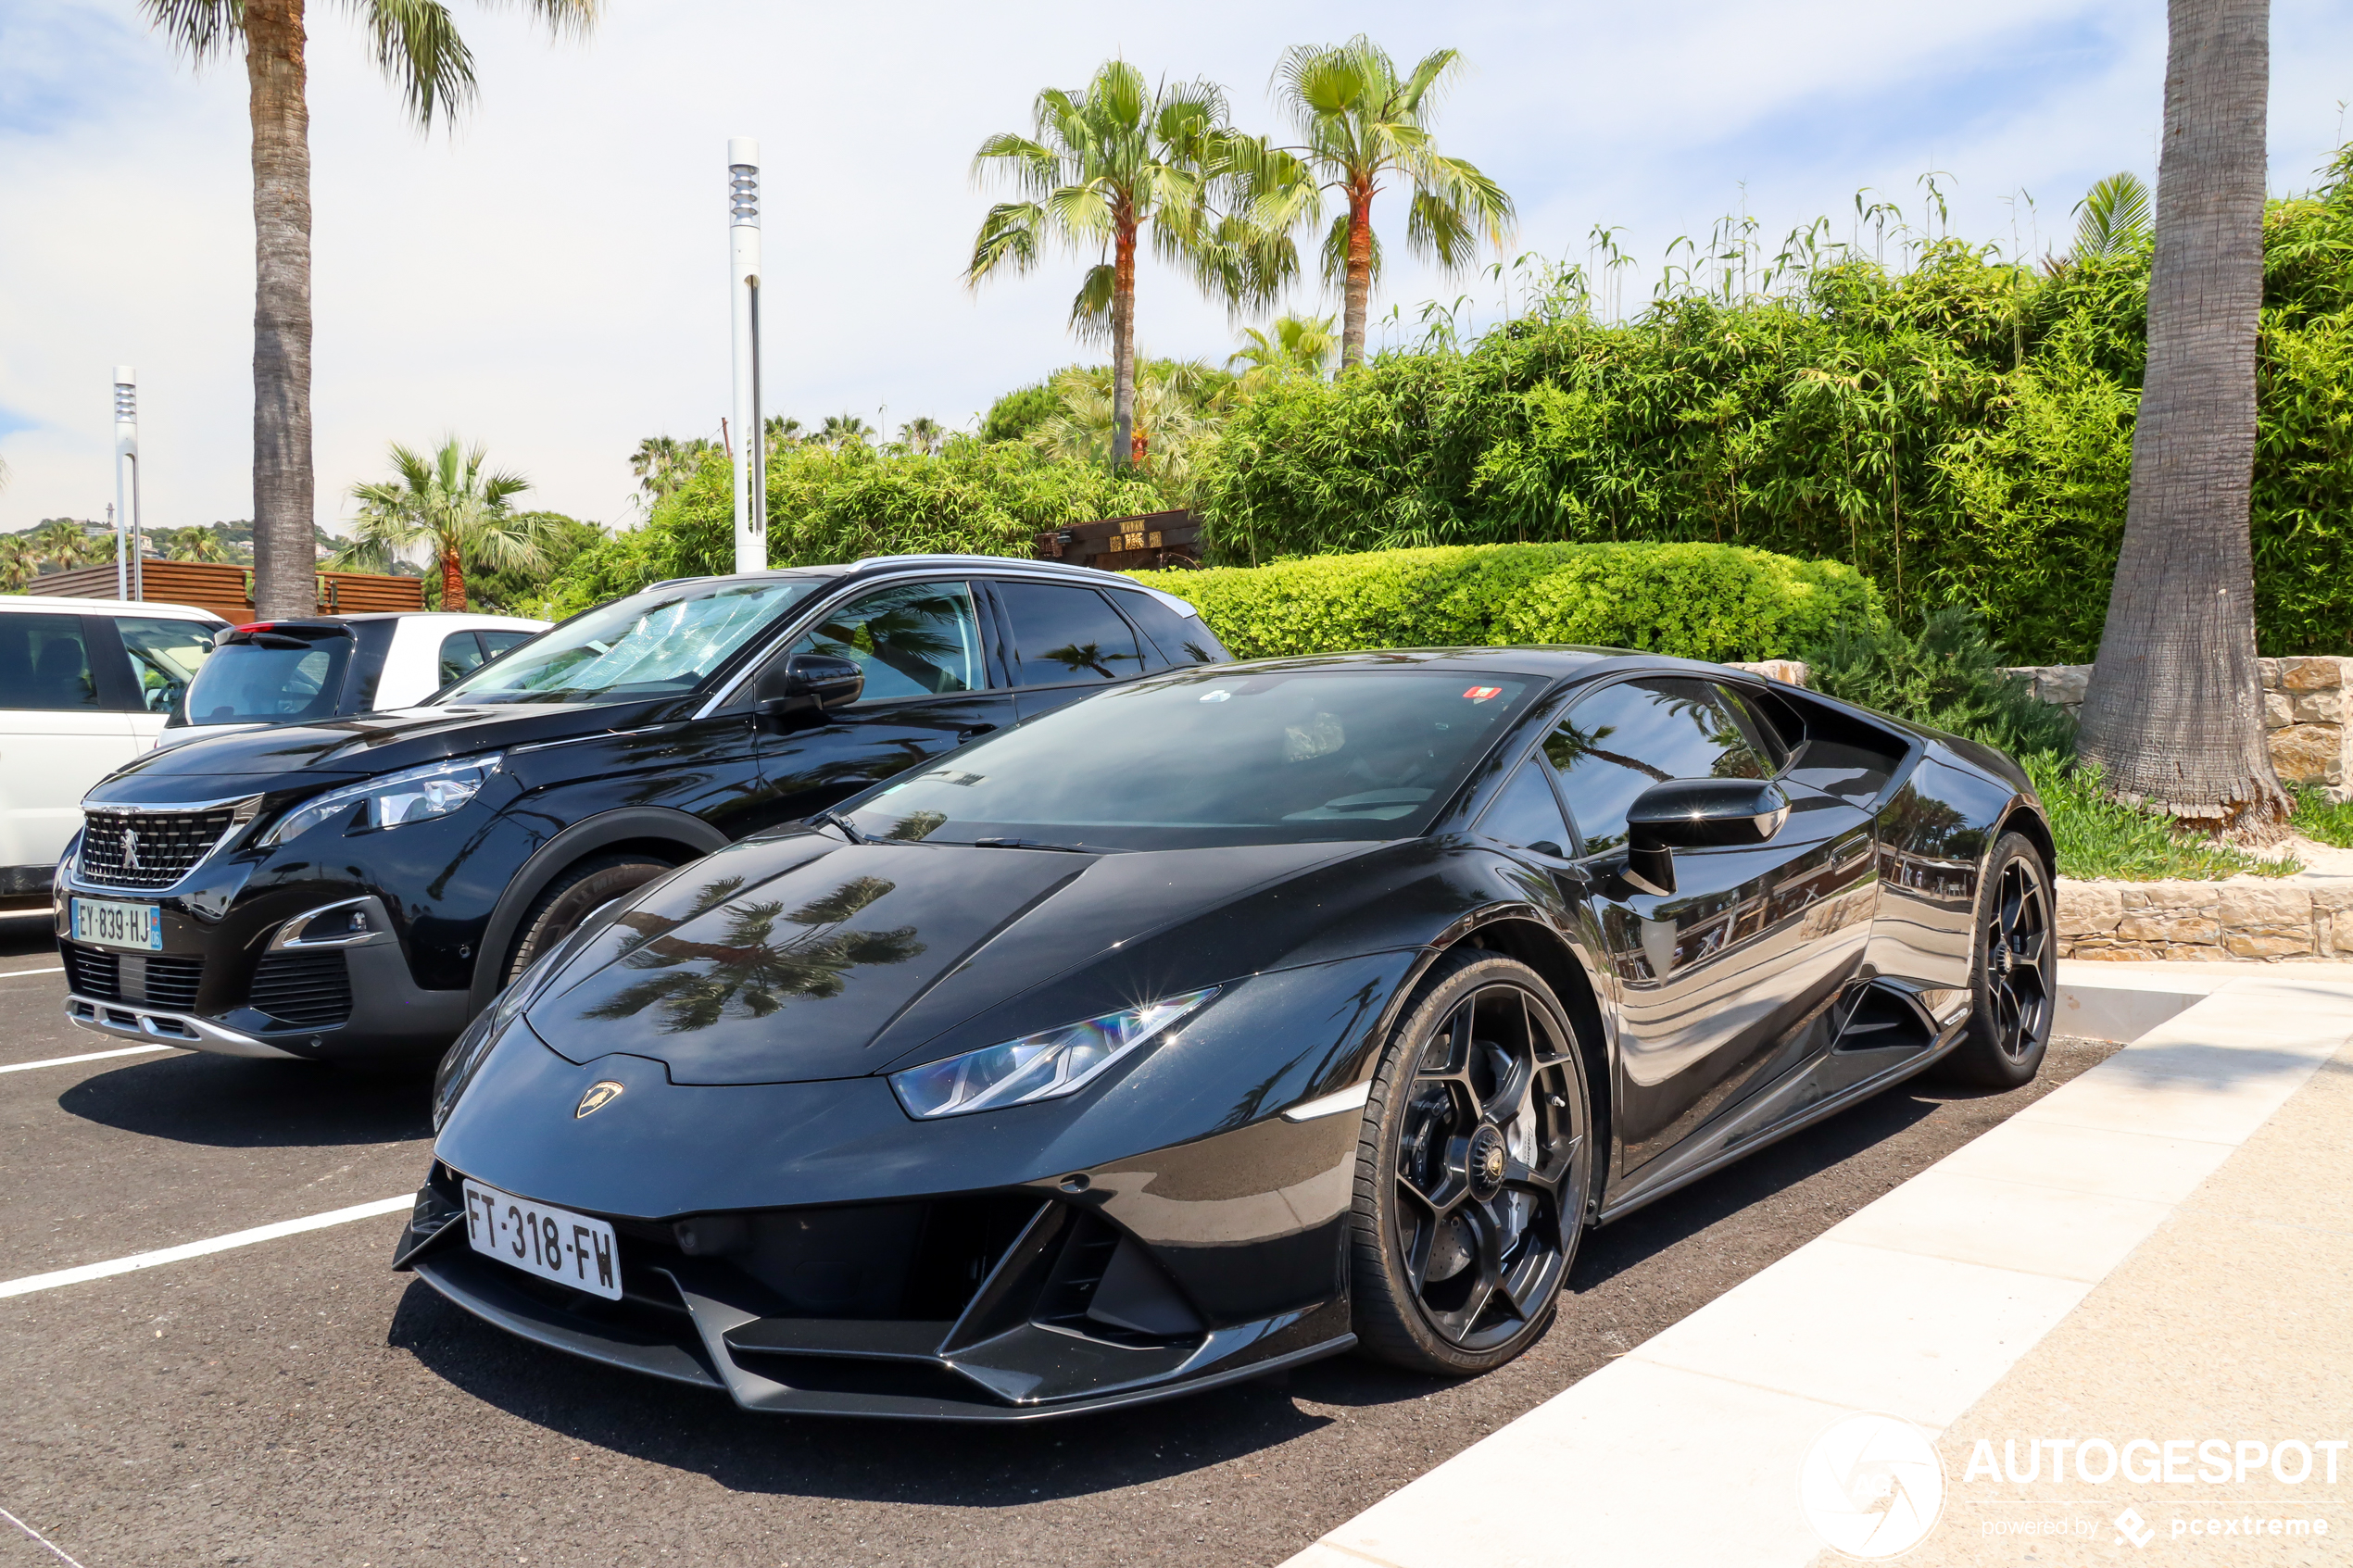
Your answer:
<point x="1634" y="735"/>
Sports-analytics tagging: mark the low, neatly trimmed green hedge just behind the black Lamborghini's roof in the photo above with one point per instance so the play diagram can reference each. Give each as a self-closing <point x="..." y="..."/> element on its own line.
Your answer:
<point x="1688" y="601"/>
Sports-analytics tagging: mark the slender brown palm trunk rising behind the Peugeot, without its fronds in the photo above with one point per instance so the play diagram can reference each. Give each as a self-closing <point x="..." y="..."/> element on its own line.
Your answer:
<point x="284" y="485"/>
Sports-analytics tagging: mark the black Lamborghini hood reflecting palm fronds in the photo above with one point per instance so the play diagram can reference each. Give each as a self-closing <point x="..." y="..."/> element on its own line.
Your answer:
<point x="801" y="958"/>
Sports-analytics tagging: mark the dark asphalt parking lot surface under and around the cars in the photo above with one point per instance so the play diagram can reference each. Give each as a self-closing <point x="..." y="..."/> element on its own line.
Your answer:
<point x="295" y="1402"/>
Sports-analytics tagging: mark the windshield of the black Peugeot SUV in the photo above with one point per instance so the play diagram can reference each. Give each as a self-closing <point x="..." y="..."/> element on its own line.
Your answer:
<point x="653" y="645"/>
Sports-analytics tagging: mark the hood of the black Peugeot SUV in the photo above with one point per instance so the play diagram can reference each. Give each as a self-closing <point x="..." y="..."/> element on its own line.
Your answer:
<point x="364" y="744"/>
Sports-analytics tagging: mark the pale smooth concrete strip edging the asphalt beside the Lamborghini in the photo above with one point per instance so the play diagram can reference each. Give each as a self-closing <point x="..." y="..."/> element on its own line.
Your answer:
<point x="1686" y="1452"/>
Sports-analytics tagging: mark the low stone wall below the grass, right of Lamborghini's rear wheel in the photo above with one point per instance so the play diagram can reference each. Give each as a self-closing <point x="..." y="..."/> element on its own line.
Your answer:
<point x="2206" y="920"/>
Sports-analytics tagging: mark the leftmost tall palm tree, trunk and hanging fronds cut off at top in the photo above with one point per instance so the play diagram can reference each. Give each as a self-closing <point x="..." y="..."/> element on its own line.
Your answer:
<point x="420" y="51"/>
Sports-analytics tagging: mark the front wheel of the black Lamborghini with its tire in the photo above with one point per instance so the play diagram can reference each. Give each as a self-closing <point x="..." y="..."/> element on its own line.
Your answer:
<point x="1472" y="1172"/>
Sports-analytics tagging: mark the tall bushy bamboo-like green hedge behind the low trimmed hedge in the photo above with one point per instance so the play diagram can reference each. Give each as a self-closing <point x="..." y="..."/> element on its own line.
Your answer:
<point x="1961" y="434"/>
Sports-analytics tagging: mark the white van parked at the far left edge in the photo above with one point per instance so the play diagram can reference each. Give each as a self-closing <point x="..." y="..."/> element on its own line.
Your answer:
<point x="86" y="685"/>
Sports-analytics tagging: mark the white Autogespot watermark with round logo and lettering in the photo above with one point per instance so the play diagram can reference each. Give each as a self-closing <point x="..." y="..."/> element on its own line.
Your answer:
<point x="1874" y="1487"/>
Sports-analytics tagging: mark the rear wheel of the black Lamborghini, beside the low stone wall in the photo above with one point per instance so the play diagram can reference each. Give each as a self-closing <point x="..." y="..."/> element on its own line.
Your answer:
<point x="2013" y="977"/>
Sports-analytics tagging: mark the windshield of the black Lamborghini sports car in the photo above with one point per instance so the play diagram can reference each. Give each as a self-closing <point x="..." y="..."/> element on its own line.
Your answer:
<point x="1215" y="758"/>
